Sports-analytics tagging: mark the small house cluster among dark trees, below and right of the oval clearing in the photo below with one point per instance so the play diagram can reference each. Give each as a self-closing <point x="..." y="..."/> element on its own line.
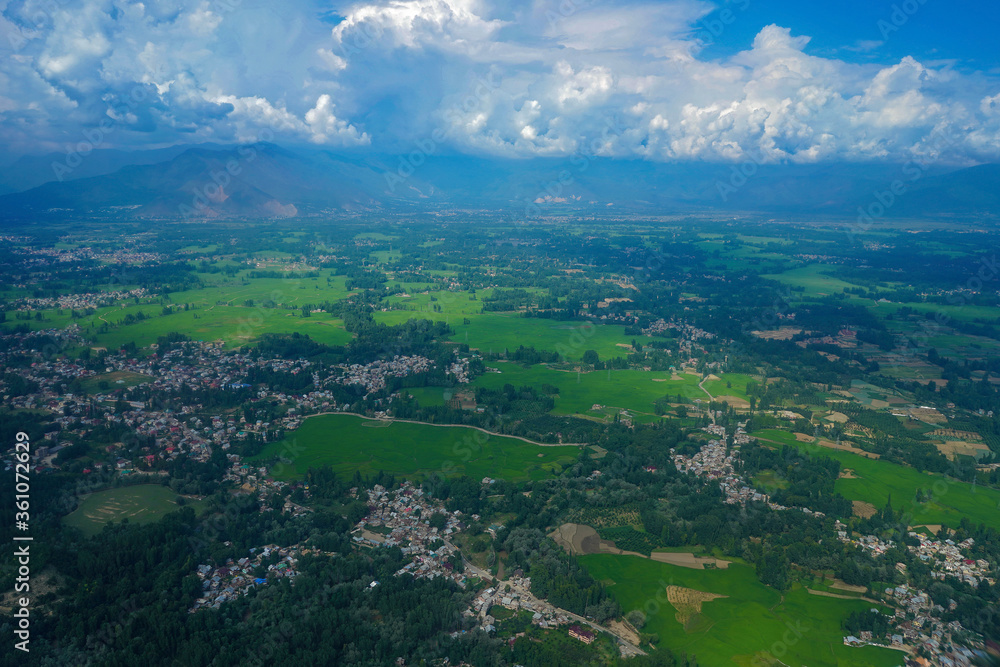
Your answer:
<point x="236" y="578"/>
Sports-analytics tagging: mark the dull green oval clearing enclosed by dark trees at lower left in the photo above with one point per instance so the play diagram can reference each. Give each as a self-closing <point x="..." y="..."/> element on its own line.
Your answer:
<point x="143" y="503"/>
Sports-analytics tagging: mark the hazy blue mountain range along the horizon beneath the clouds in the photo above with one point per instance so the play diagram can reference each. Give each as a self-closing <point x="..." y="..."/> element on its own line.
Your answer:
<point x="265" y="180"/>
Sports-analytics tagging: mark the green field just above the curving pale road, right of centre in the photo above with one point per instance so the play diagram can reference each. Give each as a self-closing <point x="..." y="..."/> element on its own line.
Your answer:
<point x="630" y="389"/>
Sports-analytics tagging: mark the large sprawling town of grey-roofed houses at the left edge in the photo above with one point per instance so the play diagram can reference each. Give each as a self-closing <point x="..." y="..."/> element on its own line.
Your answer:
<point x="185" y="366"/>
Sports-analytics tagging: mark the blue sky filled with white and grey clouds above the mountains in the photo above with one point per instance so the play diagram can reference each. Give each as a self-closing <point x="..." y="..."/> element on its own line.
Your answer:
<point x="664" y="80"/>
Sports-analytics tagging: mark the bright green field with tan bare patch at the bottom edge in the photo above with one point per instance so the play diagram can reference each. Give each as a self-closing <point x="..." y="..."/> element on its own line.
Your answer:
<point x="753" y="625"/>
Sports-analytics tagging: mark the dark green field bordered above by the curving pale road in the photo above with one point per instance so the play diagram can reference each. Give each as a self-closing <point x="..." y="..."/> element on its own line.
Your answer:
<point x="348" y="443"/>
